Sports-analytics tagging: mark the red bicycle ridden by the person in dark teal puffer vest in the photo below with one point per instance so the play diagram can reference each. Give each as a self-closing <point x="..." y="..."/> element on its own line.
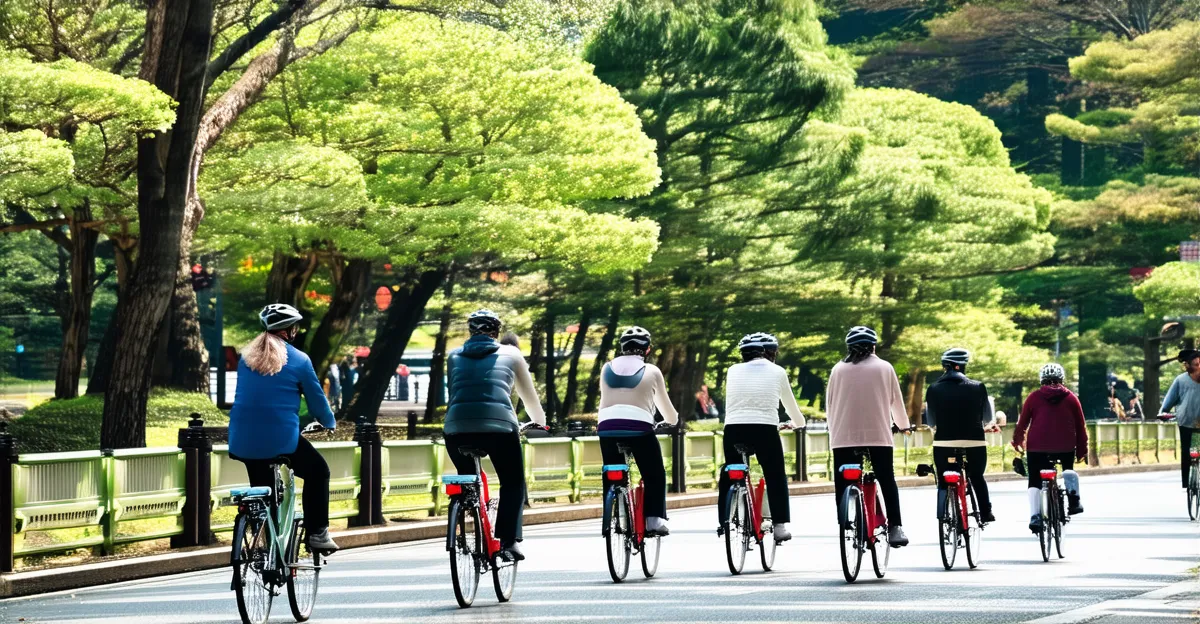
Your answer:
<point x="471" y="536"/>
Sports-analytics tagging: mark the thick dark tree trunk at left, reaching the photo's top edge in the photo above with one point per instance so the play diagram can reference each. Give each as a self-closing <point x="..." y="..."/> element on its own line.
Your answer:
<point x="178" y="41"/>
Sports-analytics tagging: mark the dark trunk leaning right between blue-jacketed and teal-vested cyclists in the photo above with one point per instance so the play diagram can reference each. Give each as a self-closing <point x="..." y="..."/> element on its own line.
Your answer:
<point x="404" y="315"/>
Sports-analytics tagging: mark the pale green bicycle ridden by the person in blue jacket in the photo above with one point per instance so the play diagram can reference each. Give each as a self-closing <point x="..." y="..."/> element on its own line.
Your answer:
<point x="271" y="549"/>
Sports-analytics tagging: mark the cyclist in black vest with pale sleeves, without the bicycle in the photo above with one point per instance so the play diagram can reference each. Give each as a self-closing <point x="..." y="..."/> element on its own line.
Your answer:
<point x="959" y="411"/>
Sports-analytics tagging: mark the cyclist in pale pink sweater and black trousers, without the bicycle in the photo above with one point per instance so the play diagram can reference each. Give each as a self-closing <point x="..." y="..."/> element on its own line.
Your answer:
<point x="863" y="404"/>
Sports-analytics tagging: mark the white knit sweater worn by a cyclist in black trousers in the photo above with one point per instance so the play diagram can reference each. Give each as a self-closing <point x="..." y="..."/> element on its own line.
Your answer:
<point x="753" y="394"/>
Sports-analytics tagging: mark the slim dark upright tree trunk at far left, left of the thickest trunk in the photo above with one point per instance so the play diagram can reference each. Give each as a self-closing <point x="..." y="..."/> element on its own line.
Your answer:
<point x="79" y="314"/>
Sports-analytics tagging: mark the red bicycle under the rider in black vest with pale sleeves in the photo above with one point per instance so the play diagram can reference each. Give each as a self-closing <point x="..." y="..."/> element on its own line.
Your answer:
<point x="961" y="525"/>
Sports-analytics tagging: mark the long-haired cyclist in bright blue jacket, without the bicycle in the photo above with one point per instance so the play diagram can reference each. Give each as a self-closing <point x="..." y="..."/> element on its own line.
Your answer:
<point x="265" y="422"/>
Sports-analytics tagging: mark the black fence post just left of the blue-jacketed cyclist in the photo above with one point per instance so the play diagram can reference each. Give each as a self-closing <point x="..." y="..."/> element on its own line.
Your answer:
<point x="197" y="448"/>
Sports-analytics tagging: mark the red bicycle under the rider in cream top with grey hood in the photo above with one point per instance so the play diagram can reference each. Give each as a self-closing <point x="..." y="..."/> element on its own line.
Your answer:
<point x="625" y="523"/>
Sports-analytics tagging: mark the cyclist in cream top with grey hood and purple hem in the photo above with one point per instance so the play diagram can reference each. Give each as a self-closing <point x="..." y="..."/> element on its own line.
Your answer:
<point x="631" y="392"/>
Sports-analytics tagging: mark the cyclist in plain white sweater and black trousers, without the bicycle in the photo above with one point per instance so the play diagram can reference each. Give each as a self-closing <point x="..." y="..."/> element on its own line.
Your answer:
<point x="754" y="392"/>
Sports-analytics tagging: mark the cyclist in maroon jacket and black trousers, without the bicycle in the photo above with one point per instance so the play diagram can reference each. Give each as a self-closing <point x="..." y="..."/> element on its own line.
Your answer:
<point x="1054" y="419"/>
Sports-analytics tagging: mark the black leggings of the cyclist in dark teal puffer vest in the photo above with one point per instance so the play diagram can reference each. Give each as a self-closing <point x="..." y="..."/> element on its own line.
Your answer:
<point x="505" y="449"/>
